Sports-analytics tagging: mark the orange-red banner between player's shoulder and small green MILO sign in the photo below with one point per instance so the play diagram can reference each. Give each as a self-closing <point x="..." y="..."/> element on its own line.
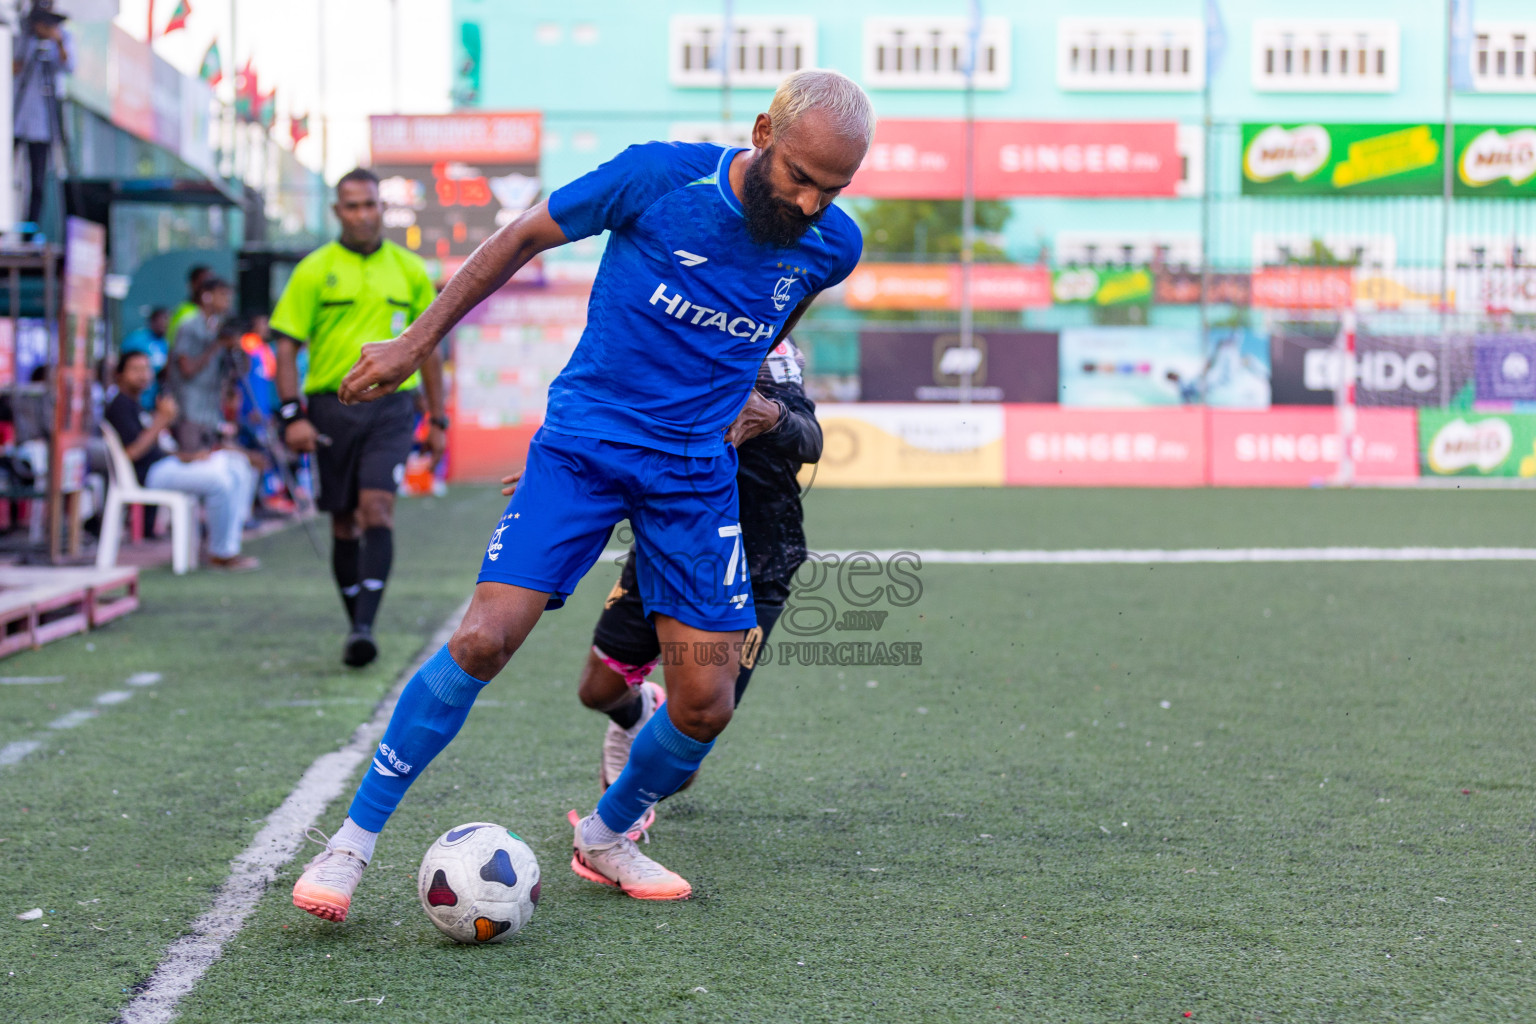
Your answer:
<point x="995" y="286"/>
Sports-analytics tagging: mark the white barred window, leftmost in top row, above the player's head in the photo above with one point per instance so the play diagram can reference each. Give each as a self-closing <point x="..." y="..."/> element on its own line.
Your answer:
<point x="756" y="42"/>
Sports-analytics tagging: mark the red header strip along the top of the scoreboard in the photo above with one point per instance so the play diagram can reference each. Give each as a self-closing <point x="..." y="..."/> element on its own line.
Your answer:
<point x="423" y="139"/>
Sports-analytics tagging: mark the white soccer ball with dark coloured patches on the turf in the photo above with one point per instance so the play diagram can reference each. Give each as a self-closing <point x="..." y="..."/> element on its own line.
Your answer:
<point x="478" y="884"/>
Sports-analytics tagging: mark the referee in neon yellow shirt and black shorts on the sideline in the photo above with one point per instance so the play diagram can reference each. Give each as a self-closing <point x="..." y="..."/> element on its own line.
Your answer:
<point x="342" y="297"/>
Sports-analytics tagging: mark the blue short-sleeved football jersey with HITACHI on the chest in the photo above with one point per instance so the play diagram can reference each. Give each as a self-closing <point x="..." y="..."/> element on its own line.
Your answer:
<point x="686" y="305"/>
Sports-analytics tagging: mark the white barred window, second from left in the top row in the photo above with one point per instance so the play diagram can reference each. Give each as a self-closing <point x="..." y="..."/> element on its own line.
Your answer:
<point x="895" y="61"/>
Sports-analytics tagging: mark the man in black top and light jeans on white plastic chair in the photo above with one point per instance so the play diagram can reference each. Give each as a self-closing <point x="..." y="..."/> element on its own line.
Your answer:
<point x="223" y="480"/>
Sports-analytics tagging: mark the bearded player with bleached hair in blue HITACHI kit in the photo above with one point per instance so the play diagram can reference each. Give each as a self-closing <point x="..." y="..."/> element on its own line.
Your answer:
<point x="713" y="254"/>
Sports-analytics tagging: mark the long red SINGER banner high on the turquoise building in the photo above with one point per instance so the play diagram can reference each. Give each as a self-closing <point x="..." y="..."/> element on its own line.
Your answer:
<point x="925" y="160"/>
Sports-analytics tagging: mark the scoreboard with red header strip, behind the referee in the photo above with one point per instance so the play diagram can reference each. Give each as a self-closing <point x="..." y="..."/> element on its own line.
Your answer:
<point x="451" y="180"/>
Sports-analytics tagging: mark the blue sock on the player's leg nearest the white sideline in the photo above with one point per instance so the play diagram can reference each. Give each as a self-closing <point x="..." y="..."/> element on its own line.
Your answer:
<point x="428" y="716"/>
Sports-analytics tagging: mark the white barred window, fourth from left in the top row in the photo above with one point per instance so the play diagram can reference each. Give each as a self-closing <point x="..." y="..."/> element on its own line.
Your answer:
<point x="1326" y="56"/>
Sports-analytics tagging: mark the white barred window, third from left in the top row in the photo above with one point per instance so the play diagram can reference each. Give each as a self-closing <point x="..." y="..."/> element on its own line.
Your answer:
<point x="1093" y="55"/>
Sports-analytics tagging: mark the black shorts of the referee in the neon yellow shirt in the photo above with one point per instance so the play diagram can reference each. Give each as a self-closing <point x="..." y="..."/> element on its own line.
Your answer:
<point x="368" y="446"/>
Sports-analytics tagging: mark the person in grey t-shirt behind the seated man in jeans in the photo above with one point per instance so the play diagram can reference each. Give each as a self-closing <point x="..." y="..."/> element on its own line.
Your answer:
<point x="204" y="362"/>
